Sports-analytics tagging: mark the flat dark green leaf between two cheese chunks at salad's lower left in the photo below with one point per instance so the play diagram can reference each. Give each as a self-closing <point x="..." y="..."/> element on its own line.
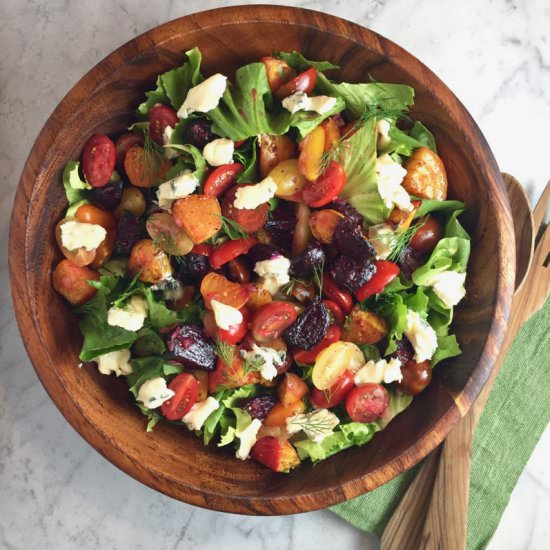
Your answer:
<point x="99" y="336"/>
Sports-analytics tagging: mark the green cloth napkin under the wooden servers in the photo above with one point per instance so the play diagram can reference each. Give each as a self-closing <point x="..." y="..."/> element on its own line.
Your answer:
<point x="515" y="417"/>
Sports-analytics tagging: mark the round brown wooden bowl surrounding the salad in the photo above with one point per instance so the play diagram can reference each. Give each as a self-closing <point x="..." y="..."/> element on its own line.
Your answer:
<point x="171" y="459"/>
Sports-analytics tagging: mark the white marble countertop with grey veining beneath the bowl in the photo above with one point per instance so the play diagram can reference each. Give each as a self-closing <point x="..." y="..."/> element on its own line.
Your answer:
<point x="59" y="493"/>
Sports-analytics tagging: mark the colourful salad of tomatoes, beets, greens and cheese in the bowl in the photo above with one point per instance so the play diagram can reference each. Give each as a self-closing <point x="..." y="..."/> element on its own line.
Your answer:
<point x="270" y="261"/>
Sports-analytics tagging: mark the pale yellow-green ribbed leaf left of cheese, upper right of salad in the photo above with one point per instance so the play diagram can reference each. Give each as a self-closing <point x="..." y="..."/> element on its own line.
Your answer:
<point x="357" y="155"/>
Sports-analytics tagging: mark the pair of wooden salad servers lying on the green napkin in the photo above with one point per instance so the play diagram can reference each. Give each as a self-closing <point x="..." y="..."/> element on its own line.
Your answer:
<point x="433" y="512"/>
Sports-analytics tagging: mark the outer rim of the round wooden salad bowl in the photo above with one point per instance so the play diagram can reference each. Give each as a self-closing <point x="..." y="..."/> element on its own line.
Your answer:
<point x="28" y="327"/>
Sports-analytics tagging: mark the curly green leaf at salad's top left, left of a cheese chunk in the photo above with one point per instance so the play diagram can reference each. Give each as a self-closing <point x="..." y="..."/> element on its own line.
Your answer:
<point x="172" y="86"/>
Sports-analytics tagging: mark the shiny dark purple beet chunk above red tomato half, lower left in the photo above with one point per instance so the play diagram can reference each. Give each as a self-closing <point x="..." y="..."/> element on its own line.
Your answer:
<point x="190" y="346"/>
